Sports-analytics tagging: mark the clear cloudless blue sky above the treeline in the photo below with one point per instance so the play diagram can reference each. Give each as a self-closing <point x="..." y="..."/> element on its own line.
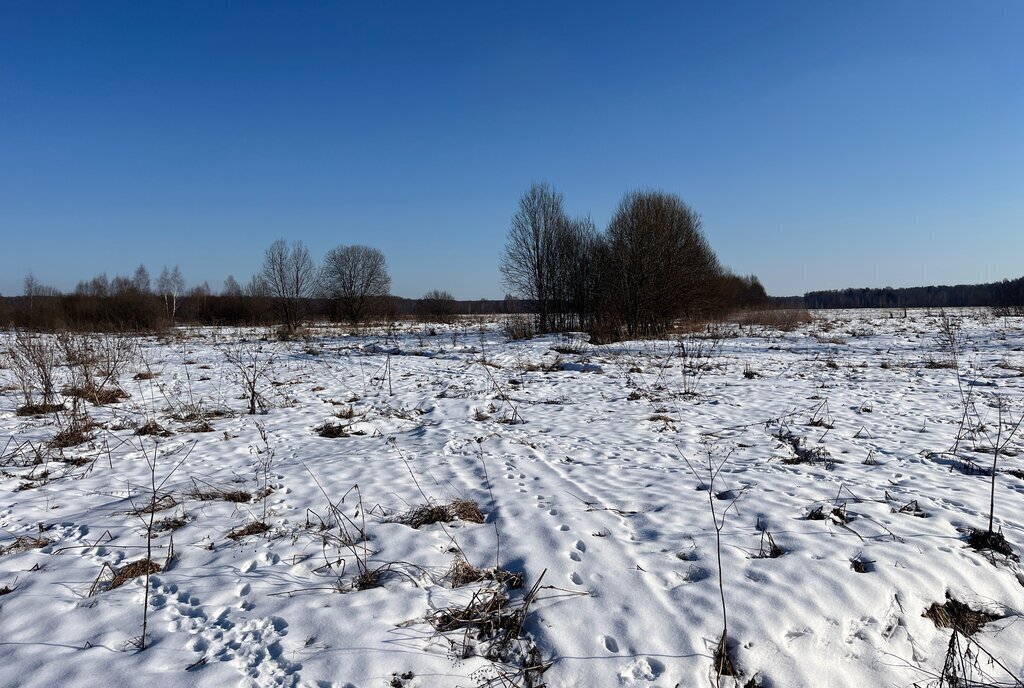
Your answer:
<point x="827" y="145"/>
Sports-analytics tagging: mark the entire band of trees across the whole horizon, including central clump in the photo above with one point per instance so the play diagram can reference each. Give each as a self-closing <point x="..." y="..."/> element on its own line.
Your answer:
<point x="651" y="268"/>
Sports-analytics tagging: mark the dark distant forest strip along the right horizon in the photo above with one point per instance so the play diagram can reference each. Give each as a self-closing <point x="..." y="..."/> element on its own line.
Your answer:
<point x="1006" y="294"/>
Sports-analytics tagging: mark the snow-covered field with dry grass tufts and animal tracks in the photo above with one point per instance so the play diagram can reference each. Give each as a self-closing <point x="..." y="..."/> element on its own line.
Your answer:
<point x="844" y="512"/>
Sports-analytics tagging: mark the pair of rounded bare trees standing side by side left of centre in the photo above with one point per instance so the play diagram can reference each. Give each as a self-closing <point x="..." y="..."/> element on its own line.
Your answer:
<point x="355" y="278"/>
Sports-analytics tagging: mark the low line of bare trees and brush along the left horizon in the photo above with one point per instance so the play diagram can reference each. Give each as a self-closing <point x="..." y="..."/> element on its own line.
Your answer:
<point x="352" y="285"/>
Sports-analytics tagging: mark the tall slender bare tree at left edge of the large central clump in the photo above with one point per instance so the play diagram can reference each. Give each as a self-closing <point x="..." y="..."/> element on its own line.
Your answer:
<point x="530" y="260"/>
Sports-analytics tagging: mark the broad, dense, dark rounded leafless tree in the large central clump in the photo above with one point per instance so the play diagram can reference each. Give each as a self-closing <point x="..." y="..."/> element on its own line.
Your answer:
<point x="661" y="266"/>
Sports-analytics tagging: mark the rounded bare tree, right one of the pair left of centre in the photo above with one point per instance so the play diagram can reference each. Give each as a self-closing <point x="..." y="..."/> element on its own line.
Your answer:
<point x="356" y="277"/>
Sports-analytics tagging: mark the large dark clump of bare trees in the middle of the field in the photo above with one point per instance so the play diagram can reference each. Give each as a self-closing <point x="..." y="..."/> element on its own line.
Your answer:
<point x="652" y="267"/>
